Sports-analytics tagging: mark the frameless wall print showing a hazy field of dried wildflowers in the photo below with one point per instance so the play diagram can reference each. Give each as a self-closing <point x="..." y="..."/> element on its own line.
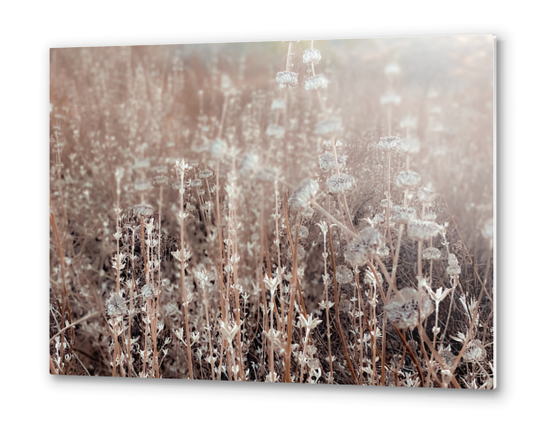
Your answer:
<point x="309" y="212"/>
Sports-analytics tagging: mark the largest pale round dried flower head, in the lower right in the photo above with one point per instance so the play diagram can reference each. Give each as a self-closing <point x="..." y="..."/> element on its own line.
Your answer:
<point x="405" y="308"/>
